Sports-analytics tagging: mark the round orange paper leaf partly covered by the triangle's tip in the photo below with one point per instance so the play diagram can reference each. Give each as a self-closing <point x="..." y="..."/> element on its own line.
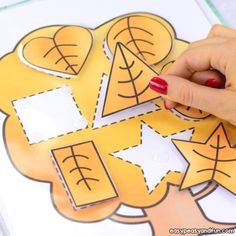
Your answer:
<point x="150" y="39"/>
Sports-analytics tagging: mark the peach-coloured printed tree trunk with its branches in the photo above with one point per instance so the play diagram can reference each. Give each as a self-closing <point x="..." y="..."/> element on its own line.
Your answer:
<point x="178" y="210"/>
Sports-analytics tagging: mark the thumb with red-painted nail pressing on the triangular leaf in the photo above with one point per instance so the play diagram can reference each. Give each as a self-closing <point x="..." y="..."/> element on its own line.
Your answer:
<point x="188" y="93"/>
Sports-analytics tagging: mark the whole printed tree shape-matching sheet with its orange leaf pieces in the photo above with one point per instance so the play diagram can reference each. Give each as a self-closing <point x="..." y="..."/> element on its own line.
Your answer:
<point x="87" y="147"/>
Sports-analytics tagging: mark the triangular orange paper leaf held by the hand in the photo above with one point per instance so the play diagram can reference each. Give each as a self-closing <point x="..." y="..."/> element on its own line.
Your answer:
<point x="128" y="83"/>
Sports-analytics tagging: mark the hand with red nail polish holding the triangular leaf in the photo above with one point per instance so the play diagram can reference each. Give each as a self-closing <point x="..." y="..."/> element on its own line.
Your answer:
<point x="193" y="80"/>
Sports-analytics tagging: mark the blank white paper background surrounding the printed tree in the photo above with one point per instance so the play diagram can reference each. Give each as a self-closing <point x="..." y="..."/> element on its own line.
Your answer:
<point x="32" y="212"/>
